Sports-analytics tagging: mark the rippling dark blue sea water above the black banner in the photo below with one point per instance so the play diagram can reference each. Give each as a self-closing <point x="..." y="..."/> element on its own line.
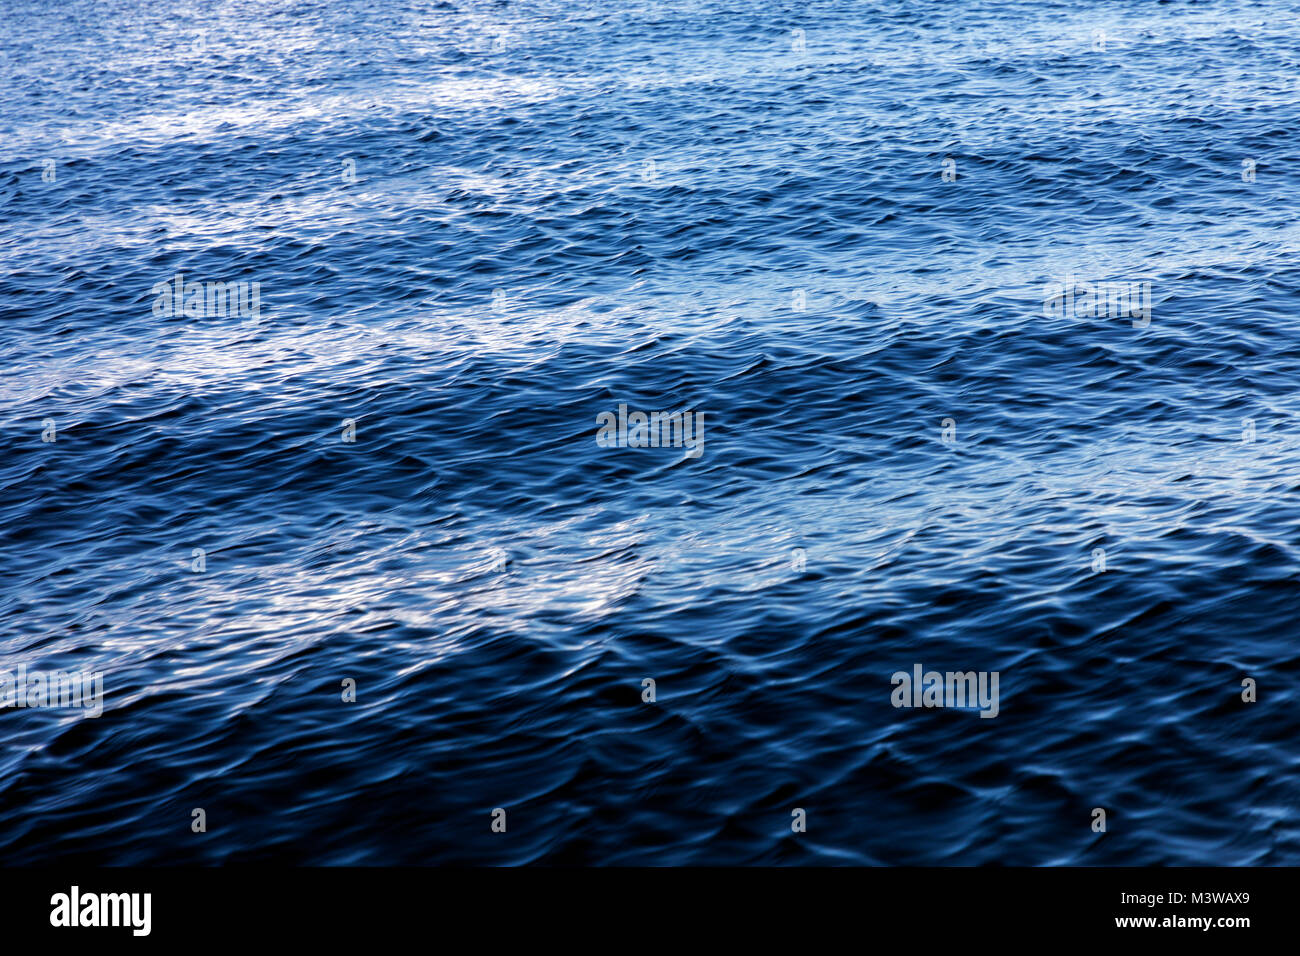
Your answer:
<point x="476" y="227"/>
